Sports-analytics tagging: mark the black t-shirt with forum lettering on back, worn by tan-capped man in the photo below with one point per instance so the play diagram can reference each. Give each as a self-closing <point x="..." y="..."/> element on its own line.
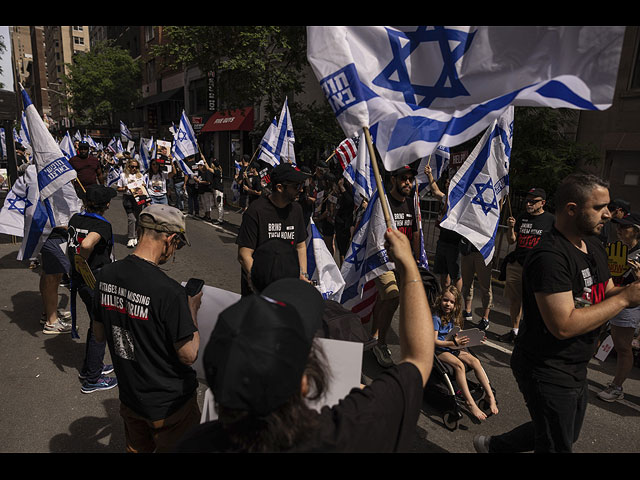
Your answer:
<point x="144" y="313"/>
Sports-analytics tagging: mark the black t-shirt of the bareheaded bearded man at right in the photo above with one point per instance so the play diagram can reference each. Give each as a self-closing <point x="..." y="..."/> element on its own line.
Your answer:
<point x="554" y="266"/>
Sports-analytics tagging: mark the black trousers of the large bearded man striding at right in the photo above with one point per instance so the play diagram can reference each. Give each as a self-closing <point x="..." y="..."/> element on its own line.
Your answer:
<point x="557" y="413"/>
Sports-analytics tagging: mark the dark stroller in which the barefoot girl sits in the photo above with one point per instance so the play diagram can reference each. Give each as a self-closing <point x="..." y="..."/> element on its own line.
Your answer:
<point x="442" y="390"/>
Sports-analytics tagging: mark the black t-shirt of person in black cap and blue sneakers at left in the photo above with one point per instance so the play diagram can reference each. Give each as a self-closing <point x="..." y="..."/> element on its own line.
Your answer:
<point x="80" y="225"/>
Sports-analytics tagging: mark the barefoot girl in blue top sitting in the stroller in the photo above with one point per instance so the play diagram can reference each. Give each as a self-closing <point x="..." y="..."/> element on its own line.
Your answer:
<point x="447" y="313"/>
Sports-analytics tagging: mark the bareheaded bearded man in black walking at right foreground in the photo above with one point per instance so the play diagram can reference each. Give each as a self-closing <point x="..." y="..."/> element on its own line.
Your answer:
<point x="567" y="271"/>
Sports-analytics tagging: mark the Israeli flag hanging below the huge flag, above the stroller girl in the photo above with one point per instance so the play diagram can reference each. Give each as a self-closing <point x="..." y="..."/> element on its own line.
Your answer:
<point x="478" y="187"/>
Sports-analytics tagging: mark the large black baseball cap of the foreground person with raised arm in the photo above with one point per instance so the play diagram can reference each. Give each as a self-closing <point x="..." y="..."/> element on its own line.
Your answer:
<point x="259" y="348"/>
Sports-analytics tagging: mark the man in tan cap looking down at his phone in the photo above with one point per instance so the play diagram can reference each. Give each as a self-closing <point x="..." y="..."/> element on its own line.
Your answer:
<point x="150" y="325"/>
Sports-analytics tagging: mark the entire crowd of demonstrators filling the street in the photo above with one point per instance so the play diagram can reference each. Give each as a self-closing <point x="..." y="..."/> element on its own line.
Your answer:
<point x="261" y="361"/>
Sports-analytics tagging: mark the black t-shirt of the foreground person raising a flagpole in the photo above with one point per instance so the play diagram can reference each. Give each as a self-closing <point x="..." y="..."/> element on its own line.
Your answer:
<point x="381" y="417"/>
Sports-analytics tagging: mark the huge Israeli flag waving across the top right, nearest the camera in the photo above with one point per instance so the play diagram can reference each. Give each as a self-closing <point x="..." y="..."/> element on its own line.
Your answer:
<point x="419" y="87"/>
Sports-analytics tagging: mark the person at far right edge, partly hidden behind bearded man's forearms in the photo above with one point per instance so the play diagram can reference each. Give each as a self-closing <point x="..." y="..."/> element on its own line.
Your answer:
<point x="624" y="325"/>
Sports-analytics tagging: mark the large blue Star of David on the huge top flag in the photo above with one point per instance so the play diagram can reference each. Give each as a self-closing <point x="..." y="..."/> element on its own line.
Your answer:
<point x="405" y="43"/>
